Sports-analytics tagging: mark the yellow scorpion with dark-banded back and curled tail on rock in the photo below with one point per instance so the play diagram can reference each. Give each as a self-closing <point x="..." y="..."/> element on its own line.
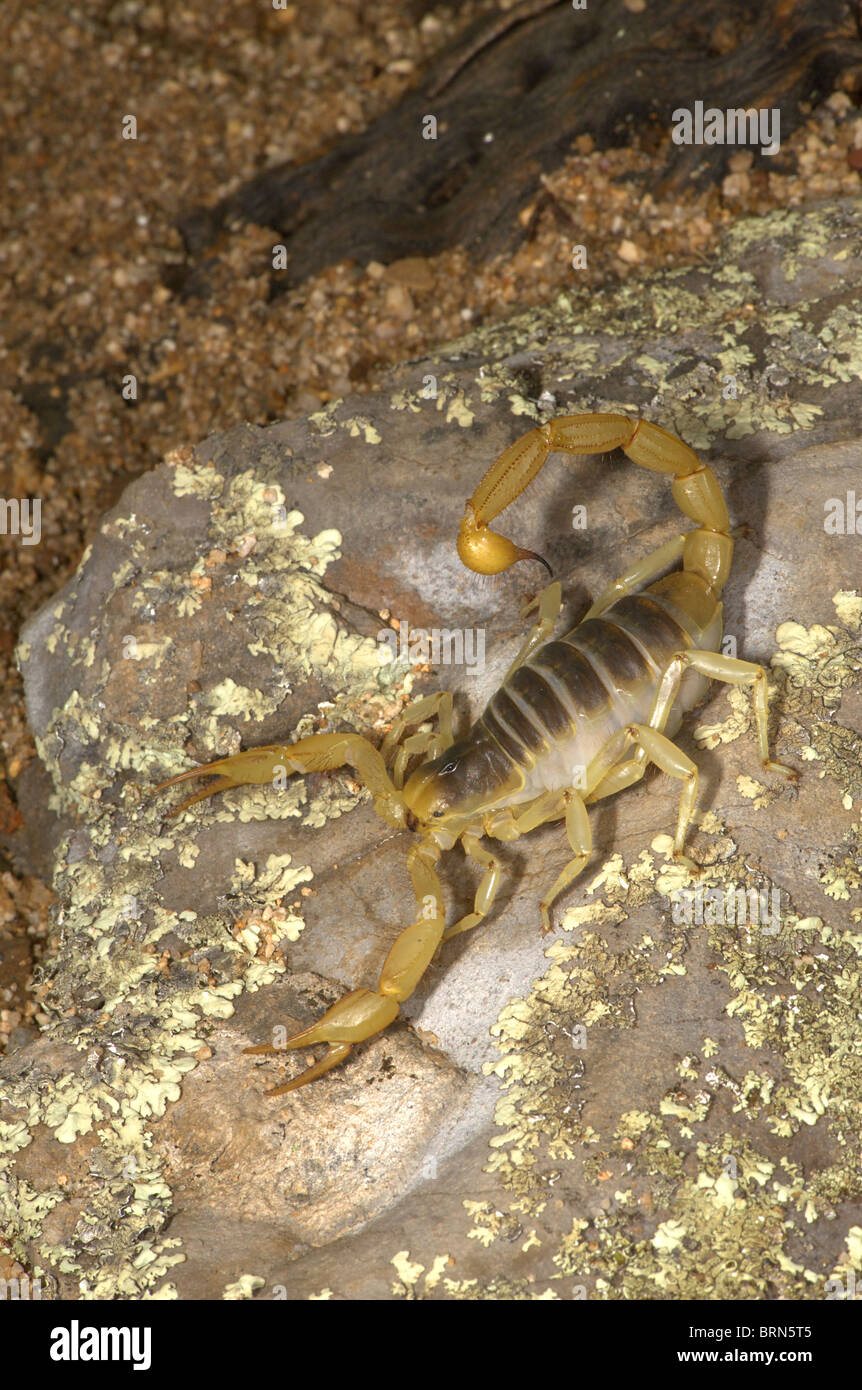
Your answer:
<point x="575" y="721"/>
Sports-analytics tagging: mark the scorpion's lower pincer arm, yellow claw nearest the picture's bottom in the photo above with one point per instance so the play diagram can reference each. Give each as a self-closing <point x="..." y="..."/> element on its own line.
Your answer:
<point x="365" y="1013"/>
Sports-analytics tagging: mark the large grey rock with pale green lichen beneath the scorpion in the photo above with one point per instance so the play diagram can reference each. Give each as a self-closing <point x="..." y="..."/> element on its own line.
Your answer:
<point x="643" y="1106"/>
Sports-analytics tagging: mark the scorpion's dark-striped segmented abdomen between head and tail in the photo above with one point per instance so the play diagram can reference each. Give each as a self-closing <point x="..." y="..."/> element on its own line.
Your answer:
<point x="554" y="715"/>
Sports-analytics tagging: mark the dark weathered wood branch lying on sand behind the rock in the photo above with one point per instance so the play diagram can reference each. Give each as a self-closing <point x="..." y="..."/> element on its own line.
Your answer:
<point x="510" y="99"/>
